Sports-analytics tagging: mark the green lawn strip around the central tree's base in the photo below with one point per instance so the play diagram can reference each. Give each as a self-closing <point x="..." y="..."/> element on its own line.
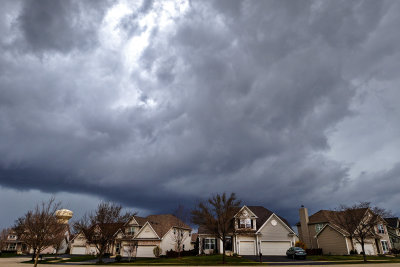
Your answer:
<point x="190" y="260"/>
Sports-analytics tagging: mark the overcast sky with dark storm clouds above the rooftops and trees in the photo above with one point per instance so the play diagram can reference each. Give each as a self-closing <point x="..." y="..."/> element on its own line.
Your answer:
<point x="162" y="103"/>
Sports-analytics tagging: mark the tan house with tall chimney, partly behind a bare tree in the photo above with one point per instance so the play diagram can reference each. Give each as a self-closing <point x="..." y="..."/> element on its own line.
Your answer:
<point x="319" y="231"/>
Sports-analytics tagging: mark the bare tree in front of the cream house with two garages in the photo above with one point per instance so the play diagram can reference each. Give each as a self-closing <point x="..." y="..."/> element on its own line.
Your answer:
<point x="216" y="215"/>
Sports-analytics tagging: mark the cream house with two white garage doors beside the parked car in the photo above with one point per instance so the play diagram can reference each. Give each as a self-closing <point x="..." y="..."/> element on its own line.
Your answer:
<point x="255" y="230"/>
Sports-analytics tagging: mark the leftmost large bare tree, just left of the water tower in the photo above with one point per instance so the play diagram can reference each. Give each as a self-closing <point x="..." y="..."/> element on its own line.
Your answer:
<point x="39" y="227"/>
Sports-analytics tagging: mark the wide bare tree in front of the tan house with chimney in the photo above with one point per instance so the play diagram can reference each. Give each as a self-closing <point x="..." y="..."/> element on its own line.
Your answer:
<point x="359" y="221"/>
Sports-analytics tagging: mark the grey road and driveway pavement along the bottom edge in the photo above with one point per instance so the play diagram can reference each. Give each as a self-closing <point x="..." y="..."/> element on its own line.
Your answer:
<point x="16" y="262"/>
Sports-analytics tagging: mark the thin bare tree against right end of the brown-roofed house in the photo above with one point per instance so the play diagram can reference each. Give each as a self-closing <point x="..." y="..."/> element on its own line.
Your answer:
<point x="181" y="230"/>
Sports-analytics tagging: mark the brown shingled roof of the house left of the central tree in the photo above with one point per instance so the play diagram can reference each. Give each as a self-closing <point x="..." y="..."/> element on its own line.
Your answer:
<point x="164" y="222"/>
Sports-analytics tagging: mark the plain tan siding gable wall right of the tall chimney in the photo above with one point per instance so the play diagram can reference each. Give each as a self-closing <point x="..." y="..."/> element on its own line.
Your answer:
<point x="332" y="242"/>
